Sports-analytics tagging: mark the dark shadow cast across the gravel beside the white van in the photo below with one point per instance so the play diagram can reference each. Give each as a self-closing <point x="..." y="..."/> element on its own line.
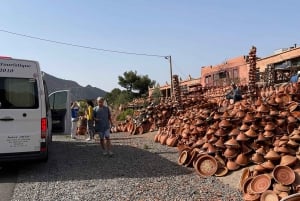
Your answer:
<point x="84" y="161"/>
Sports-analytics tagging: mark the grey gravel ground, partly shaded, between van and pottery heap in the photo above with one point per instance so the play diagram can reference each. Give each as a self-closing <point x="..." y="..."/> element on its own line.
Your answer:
<point x="139" y="170"/>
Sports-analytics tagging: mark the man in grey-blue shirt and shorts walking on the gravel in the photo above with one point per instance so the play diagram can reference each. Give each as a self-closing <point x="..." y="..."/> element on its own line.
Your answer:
<point x="103" y="124"/>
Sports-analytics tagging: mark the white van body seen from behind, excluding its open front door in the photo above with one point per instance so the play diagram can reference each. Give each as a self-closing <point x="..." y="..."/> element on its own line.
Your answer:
<point x="25" y="116"/>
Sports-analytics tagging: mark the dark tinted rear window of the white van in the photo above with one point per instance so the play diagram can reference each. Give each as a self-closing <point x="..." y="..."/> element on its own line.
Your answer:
<point x="18" y="93"/>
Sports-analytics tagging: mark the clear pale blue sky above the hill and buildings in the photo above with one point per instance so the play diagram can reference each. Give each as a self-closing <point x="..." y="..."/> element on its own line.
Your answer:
<point x="194" y="32"/>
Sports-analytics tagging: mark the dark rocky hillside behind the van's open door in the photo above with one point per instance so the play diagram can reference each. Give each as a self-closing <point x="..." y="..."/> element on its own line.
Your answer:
<point x="78" y="92"/>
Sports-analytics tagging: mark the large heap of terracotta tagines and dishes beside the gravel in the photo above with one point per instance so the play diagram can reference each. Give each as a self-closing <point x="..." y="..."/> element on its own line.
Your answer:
<point x="218" y="137"/>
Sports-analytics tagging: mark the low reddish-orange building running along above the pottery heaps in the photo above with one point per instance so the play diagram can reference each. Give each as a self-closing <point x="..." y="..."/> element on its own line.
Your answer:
<point x="279" y="67"/>
